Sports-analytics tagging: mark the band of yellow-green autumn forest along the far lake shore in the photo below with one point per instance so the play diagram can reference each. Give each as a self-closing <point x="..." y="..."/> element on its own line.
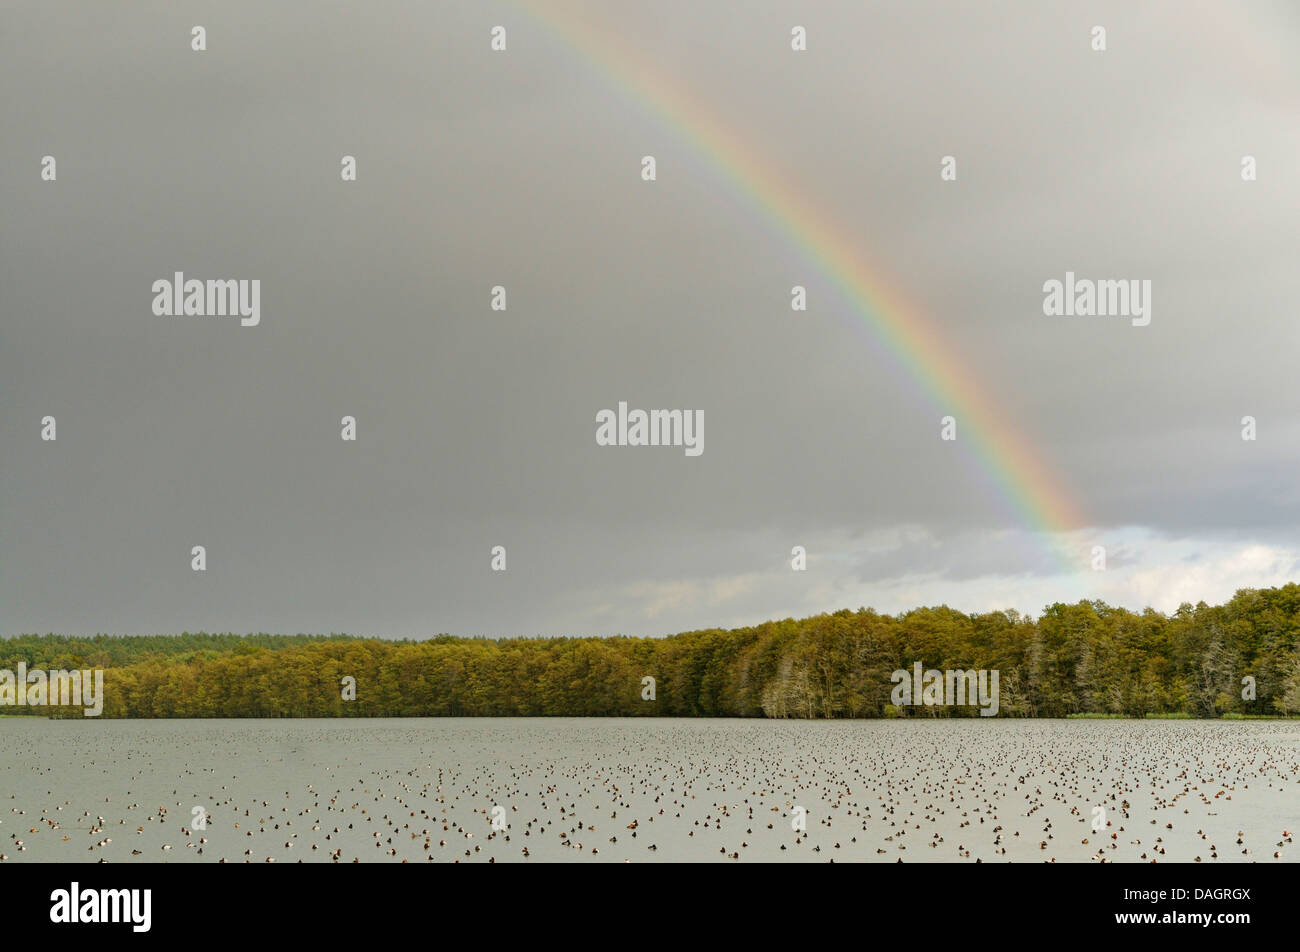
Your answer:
<point x="1241" y="659"/>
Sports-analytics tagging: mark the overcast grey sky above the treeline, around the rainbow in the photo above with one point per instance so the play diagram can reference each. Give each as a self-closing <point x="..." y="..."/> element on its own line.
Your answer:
<point x="476" y="429"/>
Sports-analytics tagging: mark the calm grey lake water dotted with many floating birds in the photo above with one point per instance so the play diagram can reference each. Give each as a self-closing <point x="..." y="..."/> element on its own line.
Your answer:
<point x="648" y="791"/>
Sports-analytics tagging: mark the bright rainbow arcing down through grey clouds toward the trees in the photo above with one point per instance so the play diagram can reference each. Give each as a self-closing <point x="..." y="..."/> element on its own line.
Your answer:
<point x="1004" y="456"/>
